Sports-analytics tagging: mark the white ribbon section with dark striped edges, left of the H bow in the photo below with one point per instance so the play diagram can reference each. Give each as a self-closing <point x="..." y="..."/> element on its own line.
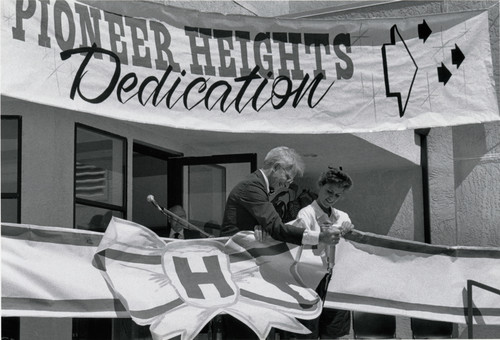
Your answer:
<point x="47" y="272"/>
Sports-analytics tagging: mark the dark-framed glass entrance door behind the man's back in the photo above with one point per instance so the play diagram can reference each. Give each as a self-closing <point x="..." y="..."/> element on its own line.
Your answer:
<point x="201" y="185"/>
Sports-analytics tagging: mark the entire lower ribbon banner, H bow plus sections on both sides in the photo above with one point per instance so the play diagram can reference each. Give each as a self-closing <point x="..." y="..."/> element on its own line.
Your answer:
<point x="178" y="286"/>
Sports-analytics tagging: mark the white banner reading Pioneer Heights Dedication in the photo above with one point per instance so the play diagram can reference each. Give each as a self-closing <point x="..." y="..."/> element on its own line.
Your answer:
<point x="145" y="62"/>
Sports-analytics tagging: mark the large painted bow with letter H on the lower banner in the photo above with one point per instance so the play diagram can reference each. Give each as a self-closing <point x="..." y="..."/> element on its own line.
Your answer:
<point x="180" y="286"/>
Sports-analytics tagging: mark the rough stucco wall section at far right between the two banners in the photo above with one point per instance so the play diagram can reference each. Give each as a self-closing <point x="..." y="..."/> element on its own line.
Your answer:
<point x="476" y="151"/>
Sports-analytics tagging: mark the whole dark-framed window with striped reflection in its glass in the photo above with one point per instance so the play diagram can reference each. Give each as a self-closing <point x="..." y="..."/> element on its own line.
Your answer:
<point x="100" y="178"/>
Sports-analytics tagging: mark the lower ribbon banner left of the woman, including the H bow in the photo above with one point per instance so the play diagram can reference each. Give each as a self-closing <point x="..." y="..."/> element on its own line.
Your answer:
<point x="174" y="286"/>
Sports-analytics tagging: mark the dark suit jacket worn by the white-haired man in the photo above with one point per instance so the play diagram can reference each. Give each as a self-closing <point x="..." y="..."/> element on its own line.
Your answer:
<point x="248" y="205"/>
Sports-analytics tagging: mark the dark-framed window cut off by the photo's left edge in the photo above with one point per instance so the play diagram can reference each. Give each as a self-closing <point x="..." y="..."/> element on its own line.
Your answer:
<point x="11" y="169"/>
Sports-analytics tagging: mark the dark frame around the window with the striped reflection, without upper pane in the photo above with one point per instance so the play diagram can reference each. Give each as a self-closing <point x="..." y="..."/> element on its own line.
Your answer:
<point x="96" y="204"/>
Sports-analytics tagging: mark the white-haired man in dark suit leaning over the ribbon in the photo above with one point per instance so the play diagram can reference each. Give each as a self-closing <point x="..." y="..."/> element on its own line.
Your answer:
<point x="248" y="205"/>
